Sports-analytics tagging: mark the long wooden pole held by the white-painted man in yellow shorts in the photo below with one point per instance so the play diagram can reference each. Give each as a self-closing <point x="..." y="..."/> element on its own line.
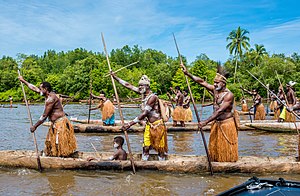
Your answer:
<point x="119" y="105"/>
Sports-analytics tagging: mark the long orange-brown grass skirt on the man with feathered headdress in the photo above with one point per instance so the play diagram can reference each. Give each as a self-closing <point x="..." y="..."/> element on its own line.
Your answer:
<point x="223" y="141"/>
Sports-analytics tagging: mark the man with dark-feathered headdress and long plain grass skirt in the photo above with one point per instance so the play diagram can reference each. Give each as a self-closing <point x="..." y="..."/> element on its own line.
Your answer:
<point x="223" y="140"/>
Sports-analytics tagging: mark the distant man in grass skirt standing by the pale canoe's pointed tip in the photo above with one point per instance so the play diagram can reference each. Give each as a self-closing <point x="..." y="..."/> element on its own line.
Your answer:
<point x="259" y="109"/>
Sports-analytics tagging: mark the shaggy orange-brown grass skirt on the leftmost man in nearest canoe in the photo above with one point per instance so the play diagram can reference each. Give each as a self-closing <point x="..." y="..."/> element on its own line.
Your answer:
<point x="60" y="140"/>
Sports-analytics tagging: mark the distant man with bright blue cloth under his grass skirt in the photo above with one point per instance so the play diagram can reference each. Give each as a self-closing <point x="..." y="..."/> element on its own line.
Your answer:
<point x="107" y="109"/>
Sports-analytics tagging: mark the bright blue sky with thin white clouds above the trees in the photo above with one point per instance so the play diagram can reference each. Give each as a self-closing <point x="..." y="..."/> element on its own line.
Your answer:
<point x="33" y="27"/>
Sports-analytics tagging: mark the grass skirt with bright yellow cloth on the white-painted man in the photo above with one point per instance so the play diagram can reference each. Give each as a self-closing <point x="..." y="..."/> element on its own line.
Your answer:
<point x="155" y="135"/>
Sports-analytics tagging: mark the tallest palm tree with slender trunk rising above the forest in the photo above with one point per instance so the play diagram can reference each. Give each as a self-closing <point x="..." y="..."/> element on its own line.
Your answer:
<point x="239" y="41"/>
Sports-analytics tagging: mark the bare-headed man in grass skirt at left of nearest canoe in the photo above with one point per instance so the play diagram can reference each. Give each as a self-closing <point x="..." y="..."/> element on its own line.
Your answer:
<point x="60" y="140"/>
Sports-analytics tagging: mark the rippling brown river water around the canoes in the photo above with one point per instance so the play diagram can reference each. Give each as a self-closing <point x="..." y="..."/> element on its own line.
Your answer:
<point x="15" y="135"/>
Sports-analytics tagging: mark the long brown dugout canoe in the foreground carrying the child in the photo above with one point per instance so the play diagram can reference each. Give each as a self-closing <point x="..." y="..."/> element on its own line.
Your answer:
<point x="174" y="163"/>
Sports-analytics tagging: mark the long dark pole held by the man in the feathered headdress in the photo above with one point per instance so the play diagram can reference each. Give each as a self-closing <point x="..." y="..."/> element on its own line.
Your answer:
<point x="196" y="111"/>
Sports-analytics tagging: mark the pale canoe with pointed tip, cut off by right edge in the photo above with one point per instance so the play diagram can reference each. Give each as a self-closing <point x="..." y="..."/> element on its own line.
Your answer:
<point x="276" y="126"/>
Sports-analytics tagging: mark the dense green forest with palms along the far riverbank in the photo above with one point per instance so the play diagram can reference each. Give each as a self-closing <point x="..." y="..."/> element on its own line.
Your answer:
<point x="71" y="72"/>
